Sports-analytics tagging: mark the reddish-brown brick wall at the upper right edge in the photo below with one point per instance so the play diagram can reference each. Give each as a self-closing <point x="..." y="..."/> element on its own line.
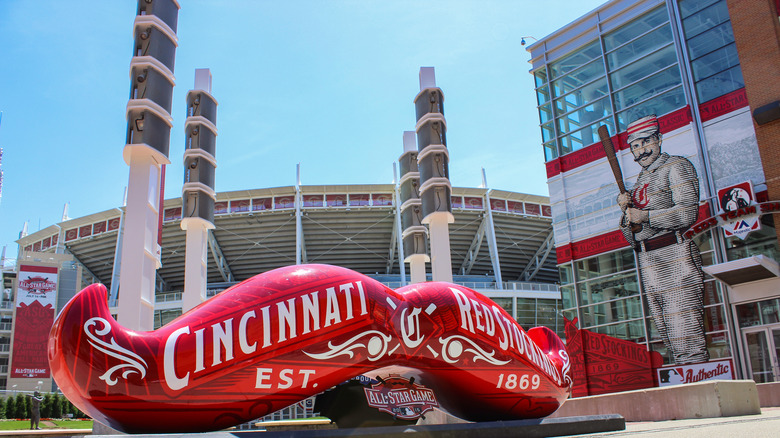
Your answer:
<point x="757" y="35"/>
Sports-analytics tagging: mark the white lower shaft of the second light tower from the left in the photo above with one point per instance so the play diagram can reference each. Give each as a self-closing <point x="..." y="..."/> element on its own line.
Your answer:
<point x="195" y="261"/>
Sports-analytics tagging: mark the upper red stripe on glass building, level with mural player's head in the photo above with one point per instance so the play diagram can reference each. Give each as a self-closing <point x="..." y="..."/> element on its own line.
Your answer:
<point x="667" y="123"/>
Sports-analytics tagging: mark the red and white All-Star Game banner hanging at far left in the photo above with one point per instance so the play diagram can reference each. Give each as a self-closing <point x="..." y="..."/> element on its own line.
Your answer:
<point x="36" y="296"/>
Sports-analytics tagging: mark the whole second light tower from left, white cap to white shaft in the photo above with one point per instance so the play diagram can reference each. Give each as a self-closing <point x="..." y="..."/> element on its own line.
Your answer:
<point x="198" y="193"/>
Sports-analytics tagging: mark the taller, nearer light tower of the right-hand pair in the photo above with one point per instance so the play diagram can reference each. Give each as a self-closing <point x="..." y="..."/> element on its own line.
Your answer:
<point x="433" y="164"/>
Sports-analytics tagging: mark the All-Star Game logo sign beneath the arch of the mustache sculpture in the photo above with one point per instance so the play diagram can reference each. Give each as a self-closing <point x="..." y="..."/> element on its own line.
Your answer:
<point x="401" y="397"/>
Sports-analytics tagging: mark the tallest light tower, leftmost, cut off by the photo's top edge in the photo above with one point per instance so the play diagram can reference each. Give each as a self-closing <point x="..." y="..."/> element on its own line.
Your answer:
<point x="146" y="152"/>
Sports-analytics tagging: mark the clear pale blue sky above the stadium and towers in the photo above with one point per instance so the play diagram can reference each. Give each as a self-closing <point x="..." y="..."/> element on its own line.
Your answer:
<point x="327" y="84"/>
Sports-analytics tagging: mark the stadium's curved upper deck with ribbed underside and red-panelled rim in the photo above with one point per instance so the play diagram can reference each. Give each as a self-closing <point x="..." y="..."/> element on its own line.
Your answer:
<point x="353" y="226"/>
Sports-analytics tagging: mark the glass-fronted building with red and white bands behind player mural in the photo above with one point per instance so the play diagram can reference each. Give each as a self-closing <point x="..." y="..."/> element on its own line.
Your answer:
<point x="676" y="59"/>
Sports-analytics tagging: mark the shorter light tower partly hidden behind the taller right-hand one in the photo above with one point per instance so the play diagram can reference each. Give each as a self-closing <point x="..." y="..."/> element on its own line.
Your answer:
<point x="414" y="234"/>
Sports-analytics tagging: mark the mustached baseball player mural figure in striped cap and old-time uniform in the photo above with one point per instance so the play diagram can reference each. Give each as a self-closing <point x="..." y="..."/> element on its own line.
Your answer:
<point x="663" y="204"/>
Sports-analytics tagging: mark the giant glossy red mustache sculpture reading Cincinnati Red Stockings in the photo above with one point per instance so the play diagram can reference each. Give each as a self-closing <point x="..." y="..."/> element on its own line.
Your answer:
<point x="294" y="332"/>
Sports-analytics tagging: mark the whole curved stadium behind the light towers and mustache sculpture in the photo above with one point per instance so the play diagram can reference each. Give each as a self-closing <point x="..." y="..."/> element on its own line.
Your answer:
<point x="353" y="226"/>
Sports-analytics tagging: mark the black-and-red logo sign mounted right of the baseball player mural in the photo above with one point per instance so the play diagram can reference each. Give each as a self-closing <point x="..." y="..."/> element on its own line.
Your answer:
<point x="737" y="202"/>
